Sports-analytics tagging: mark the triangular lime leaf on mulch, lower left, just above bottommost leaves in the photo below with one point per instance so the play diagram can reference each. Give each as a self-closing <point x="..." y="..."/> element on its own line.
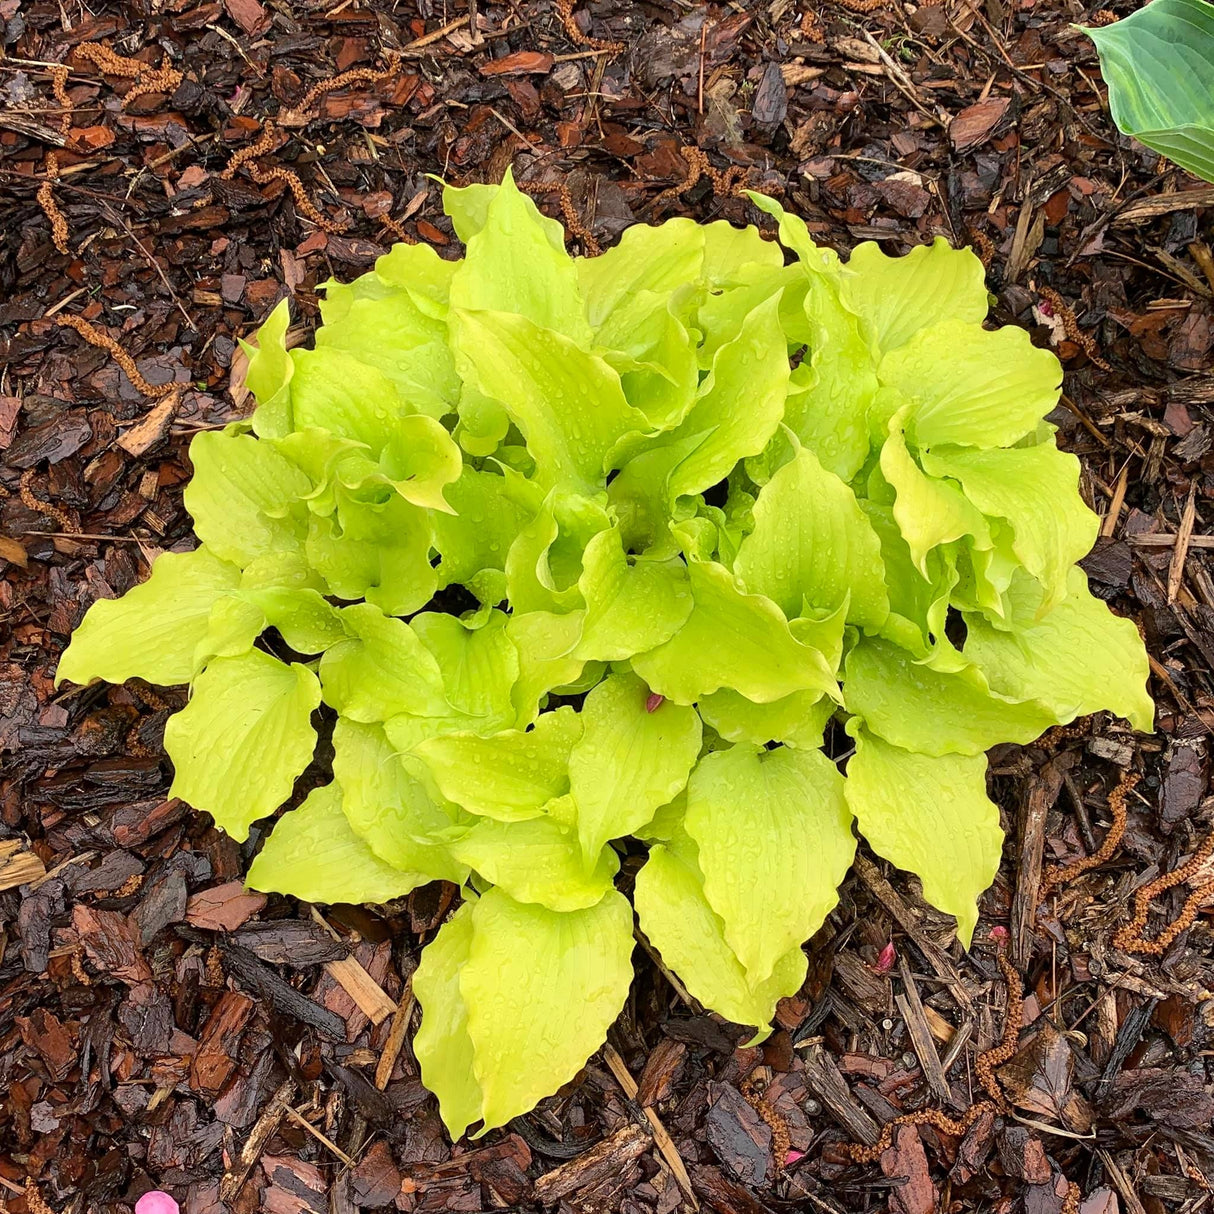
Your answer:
<point x="316" y="856"/>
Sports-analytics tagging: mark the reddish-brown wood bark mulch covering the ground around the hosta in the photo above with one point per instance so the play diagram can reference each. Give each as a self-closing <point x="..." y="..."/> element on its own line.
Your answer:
<point x="158" y="1028"/>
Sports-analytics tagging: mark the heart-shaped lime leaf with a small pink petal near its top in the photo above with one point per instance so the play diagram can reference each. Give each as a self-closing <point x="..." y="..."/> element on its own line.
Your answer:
<point x="629" y="761"/>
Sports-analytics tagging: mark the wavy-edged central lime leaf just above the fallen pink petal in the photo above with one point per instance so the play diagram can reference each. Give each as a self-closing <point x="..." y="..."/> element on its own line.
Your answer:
<point x="735" y="640"/>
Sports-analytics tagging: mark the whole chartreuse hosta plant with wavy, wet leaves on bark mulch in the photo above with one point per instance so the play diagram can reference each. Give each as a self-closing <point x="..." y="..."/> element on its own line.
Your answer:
<point x="577" y="559"/>
